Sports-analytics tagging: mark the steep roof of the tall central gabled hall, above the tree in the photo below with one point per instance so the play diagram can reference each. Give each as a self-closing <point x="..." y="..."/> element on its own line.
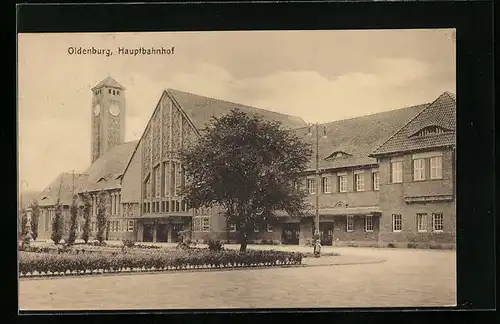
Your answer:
<point x="200" y="109"/>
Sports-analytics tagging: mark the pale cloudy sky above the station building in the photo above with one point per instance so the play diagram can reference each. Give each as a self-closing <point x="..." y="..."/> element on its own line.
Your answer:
<point x="320" y="76"/>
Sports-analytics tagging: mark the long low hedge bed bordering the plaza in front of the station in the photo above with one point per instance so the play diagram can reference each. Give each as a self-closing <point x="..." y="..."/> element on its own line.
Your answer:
<point x="39" y="264"/>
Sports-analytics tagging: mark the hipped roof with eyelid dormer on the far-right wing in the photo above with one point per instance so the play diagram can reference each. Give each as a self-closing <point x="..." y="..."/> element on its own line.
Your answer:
<point x="440" y="114"/>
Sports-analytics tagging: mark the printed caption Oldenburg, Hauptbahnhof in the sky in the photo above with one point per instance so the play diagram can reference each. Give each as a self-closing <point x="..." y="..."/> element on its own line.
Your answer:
<point x="133" y="51"/>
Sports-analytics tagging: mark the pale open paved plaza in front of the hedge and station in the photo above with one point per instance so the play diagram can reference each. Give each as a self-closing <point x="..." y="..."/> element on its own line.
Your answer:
<point x="406" y="278"/>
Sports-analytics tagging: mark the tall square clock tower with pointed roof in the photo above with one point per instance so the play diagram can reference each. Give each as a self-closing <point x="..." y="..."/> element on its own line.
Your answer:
<point x="108" y="117"/>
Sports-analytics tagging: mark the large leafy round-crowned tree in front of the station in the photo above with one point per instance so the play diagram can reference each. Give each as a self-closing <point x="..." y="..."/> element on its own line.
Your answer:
<point x="248" y="167"/>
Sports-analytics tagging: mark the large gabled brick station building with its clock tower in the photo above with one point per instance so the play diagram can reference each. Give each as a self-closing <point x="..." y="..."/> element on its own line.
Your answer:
<point x="381" y="178"/>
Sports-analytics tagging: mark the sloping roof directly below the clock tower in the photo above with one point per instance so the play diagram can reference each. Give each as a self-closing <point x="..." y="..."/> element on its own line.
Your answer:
<point x="104" y="173"/>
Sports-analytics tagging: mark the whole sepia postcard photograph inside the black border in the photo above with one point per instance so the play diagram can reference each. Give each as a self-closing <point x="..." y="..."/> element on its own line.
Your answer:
<point x="237" y="170"/>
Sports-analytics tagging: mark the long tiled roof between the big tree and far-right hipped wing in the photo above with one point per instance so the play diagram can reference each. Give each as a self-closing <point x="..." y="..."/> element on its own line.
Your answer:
<point x="354" y="138"/>
